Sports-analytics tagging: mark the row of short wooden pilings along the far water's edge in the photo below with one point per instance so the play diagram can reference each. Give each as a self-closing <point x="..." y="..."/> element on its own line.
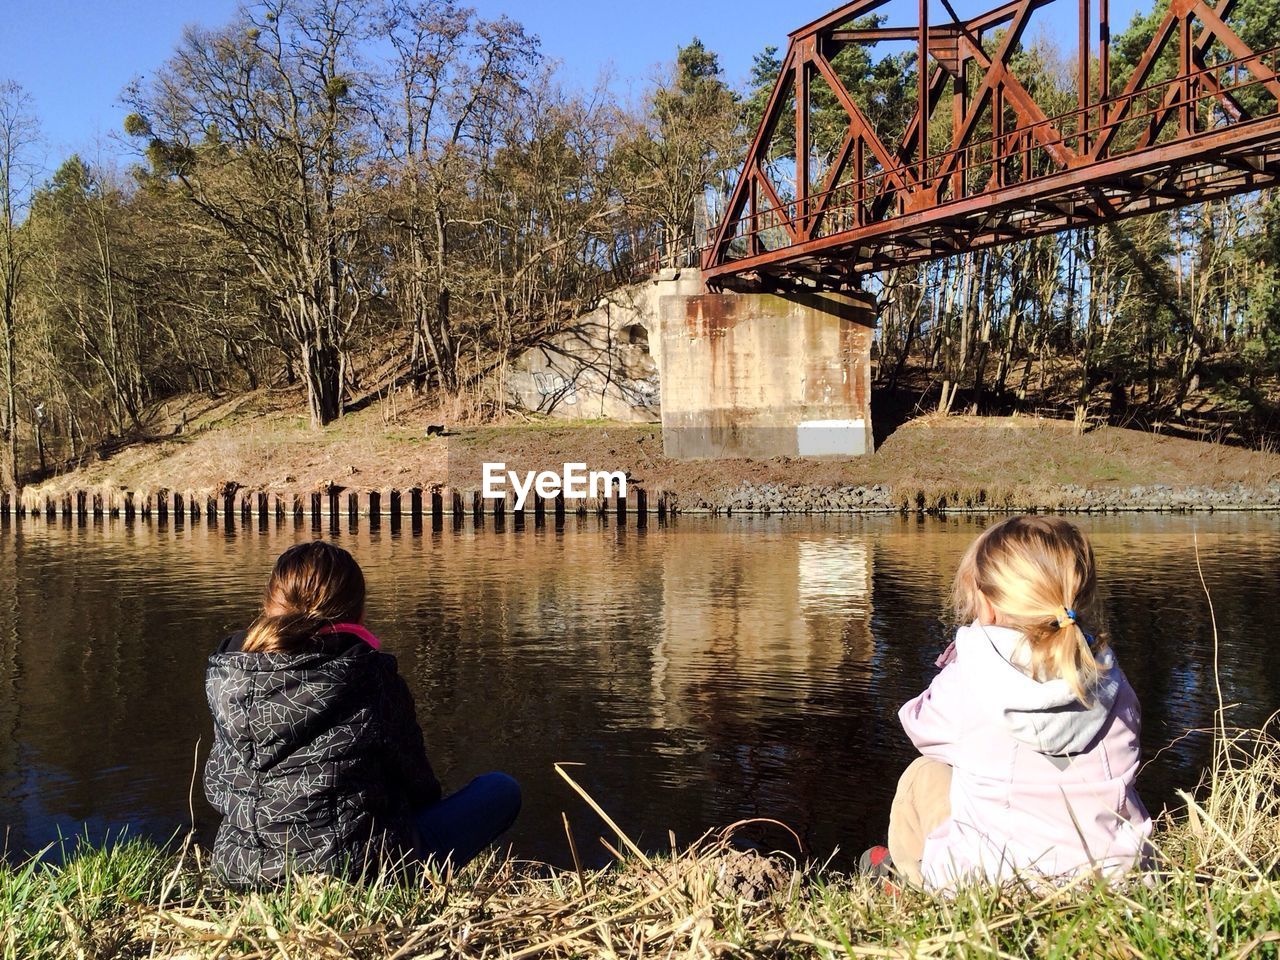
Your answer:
<point x="326" y="508"/>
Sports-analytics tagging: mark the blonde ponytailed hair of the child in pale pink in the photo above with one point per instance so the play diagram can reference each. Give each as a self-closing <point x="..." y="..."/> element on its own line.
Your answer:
<point x="1039" y="573"/>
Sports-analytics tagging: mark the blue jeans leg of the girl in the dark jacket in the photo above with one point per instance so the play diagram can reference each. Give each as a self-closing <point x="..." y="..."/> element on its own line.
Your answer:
<point x="464" y="824"/>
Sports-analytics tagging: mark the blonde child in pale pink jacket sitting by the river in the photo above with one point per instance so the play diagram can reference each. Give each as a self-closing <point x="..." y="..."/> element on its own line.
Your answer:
<point x="1030" y="734"/>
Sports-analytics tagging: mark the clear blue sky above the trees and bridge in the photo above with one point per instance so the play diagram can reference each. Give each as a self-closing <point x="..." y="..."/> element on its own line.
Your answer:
<point x="75" y="57"/>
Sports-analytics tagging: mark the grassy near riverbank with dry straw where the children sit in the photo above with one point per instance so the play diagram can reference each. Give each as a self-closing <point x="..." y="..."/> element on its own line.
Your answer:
<point x="1217" y="893"/>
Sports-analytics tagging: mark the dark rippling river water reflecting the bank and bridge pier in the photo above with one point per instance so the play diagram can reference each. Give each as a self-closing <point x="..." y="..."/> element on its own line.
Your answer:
<point x="702" y="673"/>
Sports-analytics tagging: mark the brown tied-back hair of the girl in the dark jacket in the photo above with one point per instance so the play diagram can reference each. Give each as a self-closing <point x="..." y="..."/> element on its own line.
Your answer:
<point x="313" y="586"/>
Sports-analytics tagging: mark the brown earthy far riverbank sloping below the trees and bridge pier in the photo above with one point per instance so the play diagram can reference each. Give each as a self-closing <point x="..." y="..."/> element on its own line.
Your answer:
<point x="932" y="464"/>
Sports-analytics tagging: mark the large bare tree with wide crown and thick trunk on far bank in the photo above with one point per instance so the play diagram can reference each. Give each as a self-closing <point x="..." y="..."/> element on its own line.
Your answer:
<point x="263" y="127"/>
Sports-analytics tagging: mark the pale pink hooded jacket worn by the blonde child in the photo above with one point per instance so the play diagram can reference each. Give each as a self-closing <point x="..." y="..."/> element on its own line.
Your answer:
<point x="1040" y="783"/>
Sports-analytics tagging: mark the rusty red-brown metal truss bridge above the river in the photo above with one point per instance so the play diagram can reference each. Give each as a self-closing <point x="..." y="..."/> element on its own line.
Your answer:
<point x="828" y="195"/>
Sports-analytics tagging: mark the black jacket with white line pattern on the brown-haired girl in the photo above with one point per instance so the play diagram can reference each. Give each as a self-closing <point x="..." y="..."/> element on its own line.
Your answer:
<point x="318" y="761"/>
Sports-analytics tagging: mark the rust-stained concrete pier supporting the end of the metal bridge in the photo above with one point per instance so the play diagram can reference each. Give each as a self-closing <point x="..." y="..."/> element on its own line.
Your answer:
<point x="764" y="374"/>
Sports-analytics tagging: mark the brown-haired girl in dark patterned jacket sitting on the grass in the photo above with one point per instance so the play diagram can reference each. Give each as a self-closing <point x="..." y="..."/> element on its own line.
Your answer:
<point x="318" y="762"/>
